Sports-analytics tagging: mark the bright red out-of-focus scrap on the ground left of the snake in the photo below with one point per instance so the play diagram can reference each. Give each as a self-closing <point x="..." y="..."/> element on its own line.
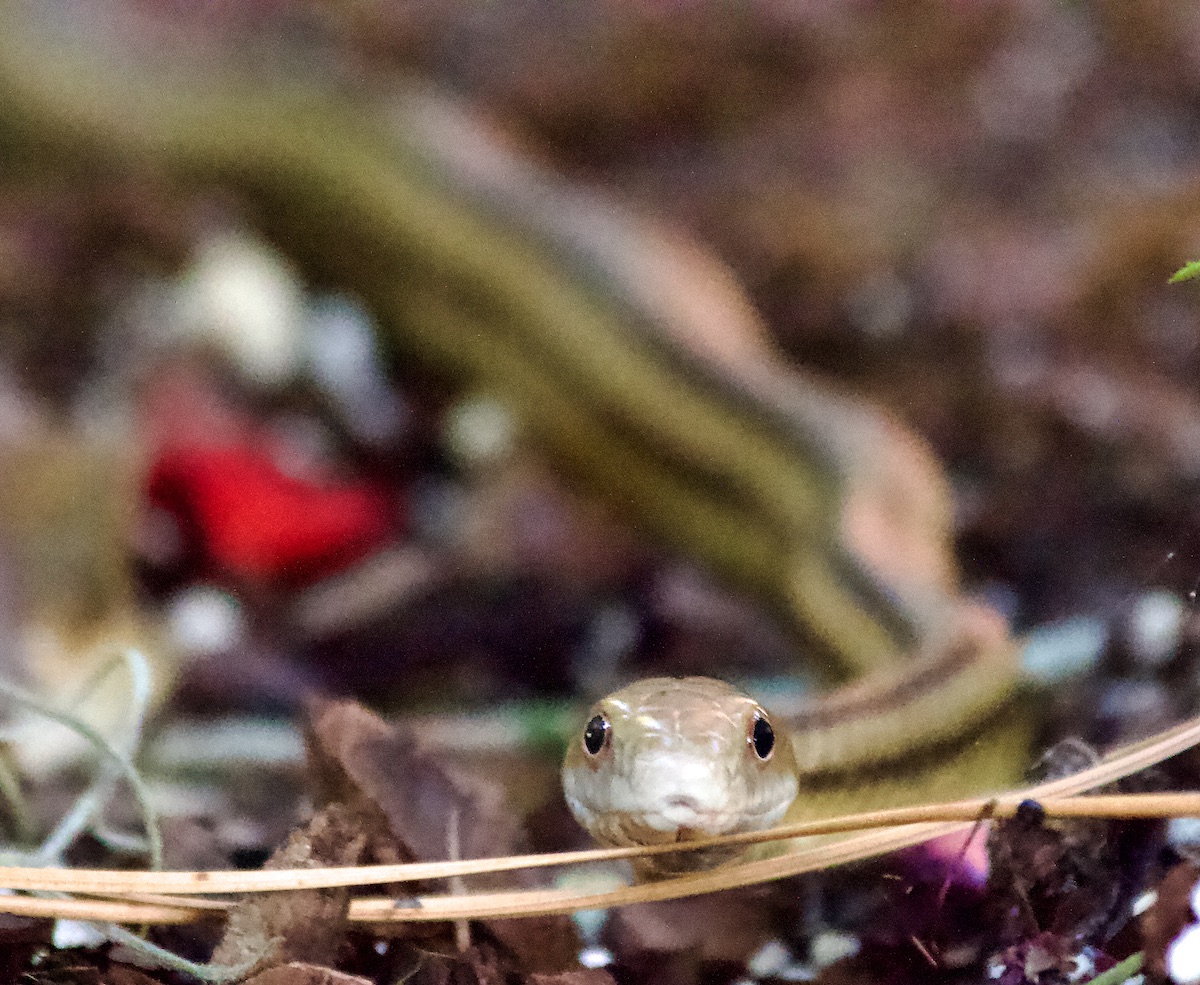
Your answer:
<point x="250" y="520"/>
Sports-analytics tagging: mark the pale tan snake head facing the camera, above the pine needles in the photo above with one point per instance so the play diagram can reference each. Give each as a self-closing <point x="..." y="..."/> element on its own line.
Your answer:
<point x="670" y="760"/>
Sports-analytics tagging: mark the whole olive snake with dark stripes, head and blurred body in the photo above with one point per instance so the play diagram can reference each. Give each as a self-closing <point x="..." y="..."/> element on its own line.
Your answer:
<point x="637" y="365"/>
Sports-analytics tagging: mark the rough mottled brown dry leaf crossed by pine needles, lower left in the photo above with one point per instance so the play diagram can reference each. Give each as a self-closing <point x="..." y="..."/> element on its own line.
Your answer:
<point x="308" y="927"/>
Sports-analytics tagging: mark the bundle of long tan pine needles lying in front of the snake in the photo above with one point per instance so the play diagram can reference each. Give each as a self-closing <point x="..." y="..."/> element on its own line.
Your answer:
<point x="910" y="826"/>
